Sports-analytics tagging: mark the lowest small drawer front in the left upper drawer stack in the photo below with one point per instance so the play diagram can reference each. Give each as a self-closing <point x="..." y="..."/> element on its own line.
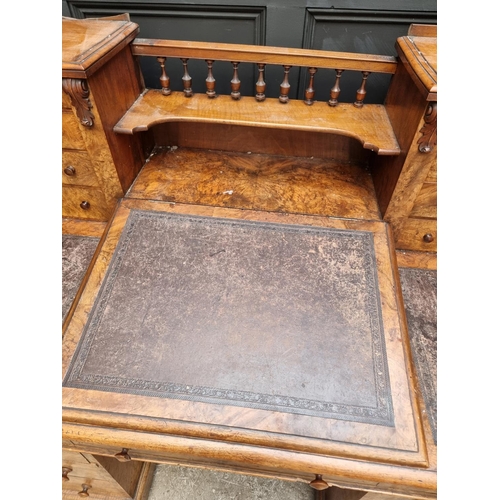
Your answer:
<point x="74" y="196"/>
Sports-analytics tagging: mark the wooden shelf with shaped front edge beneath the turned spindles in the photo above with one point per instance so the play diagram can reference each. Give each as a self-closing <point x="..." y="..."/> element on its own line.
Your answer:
<point x="369" y="124"/>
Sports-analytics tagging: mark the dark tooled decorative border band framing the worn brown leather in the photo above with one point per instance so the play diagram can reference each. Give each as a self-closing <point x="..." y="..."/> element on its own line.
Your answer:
<point x="382" y="414"/>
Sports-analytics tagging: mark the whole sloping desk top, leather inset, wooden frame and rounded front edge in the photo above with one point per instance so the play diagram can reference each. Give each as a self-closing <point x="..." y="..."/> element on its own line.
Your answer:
<point x="267" y="343"/>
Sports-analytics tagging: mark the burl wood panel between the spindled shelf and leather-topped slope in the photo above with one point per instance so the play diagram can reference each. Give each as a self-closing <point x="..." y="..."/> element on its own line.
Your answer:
<point x="286" y="184"/>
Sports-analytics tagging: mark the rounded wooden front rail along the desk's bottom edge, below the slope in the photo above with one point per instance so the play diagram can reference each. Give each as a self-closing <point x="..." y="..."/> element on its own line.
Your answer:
<point x="163" y="448"/>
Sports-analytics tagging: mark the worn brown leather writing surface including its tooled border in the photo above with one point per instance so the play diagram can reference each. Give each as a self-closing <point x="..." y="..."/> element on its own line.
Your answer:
<point x="252" y="314"/>
